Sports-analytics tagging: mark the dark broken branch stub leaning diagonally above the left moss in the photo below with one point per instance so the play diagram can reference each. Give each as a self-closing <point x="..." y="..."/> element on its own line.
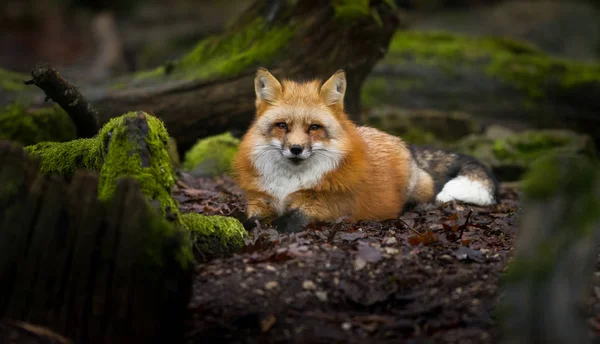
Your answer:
<point x="68" y="97"/>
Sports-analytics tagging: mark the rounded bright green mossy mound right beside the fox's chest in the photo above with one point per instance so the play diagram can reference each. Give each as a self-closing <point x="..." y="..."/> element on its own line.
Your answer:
<point x="212" y="156"/>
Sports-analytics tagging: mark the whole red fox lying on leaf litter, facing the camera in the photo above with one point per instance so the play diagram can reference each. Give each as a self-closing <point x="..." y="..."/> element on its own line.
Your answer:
<point x="303" y="160"/>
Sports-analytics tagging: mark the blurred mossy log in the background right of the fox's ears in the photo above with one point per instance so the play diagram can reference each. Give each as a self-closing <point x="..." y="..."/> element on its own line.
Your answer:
<point x="494" y="79"/>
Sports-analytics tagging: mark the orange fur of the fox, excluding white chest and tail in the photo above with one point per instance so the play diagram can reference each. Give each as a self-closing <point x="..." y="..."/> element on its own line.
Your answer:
<point x="370" y="180"/>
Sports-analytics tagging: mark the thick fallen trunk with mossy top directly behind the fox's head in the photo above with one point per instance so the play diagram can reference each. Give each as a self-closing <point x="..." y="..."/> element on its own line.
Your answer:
<point x="210" y="90"/>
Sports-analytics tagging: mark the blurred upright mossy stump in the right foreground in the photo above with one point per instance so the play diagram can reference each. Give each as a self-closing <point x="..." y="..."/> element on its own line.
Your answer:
<point x="555" y="255"/>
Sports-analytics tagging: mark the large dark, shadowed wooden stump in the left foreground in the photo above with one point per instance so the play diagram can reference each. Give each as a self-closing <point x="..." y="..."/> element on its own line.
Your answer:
<point x="92" y="270"/>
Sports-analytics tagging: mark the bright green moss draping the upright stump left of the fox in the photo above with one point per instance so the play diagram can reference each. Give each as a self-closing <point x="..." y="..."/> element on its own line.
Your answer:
<point x="123" y="159"/>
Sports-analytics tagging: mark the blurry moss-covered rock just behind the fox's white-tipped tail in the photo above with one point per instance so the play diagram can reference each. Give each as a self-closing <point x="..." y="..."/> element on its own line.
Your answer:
<point x="511" y="154"/>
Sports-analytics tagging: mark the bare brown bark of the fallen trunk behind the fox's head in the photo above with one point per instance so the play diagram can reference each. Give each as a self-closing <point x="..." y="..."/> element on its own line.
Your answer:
<point x="321" y="45"/>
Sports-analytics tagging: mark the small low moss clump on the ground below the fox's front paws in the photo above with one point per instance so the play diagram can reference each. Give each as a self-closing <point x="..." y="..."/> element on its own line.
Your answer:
<point x="214" y="235"/>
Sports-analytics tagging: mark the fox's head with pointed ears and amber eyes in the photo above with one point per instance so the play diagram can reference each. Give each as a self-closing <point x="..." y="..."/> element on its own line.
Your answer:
<point x="301" y="124"/>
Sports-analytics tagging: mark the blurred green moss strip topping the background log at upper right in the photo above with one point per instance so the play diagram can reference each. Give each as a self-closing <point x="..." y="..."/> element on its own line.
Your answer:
<point x="518" y="63"/>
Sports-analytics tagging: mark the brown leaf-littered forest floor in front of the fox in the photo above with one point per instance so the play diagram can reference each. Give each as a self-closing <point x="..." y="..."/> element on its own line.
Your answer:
<point x="431" y="276"/>
